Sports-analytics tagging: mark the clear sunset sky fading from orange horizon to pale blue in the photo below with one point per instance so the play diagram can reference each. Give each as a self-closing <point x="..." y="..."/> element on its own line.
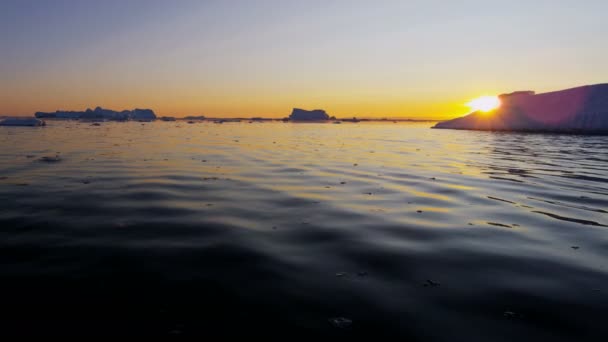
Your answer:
<point x="243" y="58"/>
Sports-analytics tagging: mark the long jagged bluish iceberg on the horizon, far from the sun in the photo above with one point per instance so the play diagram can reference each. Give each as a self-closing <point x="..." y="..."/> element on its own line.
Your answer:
<point x="101" y="113"/>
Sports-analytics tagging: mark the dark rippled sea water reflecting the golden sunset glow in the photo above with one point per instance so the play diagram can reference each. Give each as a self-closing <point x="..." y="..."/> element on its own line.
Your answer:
<point x="302" y="230"/>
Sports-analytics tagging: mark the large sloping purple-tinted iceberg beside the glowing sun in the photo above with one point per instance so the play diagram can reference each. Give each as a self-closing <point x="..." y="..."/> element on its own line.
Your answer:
<point x="582" y="109"/>
